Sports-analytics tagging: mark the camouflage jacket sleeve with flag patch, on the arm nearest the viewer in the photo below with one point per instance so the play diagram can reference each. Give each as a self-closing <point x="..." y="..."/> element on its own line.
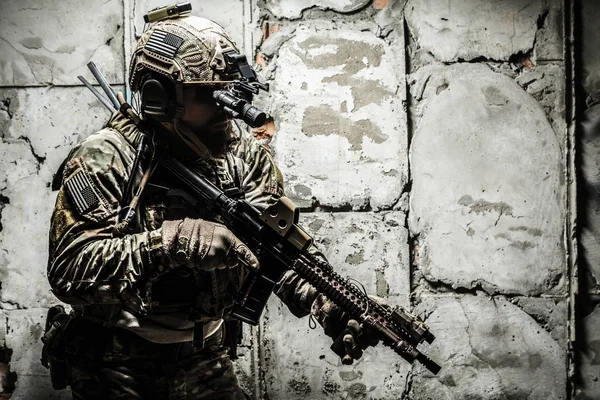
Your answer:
<point x="87" y="265"/>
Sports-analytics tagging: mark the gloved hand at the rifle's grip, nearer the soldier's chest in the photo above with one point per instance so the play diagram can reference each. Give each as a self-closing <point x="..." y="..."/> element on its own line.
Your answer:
<point x="204" y="245"/>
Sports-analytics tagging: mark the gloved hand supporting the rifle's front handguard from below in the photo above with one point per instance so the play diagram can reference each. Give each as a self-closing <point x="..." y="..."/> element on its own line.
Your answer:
<point x="336" y="324"/>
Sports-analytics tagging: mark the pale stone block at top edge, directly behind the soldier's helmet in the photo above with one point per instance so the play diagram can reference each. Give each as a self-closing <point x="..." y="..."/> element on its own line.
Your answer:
<point x="228" y="13"/>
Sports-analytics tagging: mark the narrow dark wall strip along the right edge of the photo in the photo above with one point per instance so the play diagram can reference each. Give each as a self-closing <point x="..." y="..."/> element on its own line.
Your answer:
<point x="588" y="311"/>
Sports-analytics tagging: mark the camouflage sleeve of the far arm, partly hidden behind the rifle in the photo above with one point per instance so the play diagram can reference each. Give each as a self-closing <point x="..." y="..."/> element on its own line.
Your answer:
<point x="262" y="183"/>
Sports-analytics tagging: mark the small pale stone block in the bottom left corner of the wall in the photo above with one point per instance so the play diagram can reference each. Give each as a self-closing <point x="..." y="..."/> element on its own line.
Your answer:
<point x="24" y="331"/>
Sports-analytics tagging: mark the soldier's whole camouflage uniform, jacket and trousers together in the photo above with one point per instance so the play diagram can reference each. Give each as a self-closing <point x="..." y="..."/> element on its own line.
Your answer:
<point x="136" y="317"/>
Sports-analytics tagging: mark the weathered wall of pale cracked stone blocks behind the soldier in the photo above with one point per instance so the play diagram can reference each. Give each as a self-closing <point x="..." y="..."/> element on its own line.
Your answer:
<point x="427" y="142"/>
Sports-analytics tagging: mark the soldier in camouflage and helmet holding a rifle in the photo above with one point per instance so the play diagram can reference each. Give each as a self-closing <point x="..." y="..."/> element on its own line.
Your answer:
<point x="151" y="300"/>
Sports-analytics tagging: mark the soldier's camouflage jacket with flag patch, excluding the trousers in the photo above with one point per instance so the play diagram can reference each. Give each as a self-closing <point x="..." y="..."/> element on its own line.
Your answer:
<point x="124" y="280"/>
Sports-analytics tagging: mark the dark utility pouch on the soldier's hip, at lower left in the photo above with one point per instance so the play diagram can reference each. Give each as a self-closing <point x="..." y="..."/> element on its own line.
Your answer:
<point x="53" y="352"/>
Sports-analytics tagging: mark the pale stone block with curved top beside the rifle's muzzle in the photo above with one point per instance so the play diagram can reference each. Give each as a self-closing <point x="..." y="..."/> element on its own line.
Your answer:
<point x="488" y="349"/>
